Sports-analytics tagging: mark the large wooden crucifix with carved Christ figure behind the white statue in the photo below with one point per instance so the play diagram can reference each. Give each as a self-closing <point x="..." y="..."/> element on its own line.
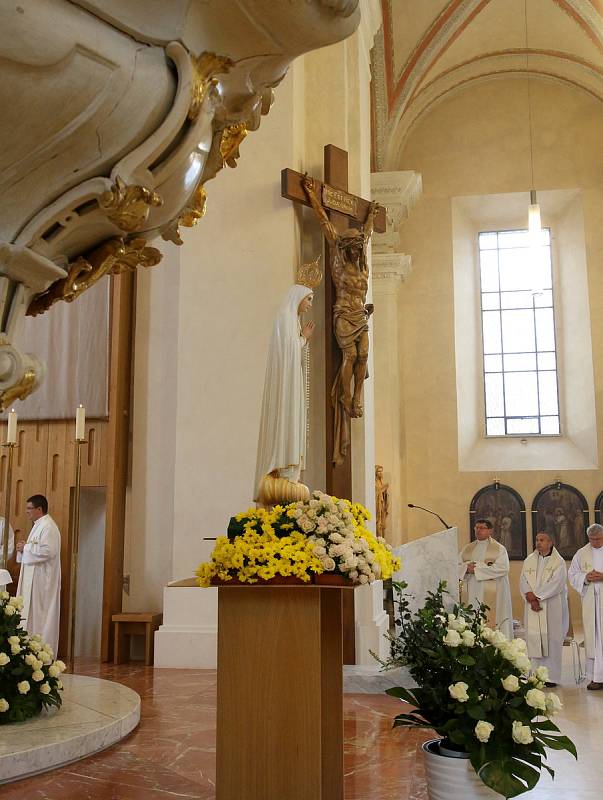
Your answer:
<point x="348" y="222"/>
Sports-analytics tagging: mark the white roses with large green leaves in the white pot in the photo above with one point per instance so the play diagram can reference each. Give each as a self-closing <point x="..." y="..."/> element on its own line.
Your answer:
<point x="474" y="689"/>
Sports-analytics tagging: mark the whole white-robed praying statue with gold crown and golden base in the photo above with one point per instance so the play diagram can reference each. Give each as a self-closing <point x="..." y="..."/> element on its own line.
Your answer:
<point x="282" y="440"/>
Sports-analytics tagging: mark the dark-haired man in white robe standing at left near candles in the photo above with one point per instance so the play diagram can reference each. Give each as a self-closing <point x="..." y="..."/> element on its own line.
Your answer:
<point x="40" y="576"/>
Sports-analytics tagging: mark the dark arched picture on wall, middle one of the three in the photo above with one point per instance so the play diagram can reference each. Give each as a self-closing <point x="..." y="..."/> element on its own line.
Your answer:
<point x="561" y="511"/>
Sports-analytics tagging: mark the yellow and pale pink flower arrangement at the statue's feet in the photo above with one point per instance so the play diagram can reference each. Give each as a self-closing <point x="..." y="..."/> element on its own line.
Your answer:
<point x="322" y="534"/>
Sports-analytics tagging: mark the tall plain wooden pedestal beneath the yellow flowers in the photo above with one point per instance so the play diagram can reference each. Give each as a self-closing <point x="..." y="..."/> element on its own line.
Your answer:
<point x="280" y="693"/>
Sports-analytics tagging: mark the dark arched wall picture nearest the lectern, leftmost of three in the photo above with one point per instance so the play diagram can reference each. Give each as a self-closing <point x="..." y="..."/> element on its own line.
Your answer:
<point x="505" y="509"/>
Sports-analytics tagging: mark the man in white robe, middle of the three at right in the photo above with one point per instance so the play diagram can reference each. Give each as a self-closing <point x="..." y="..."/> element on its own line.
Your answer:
<point x="543" y="585"/>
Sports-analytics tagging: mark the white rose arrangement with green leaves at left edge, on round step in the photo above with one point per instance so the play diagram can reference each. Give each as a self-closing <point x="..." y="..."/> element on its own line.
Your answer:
<point x="29" y="675"/>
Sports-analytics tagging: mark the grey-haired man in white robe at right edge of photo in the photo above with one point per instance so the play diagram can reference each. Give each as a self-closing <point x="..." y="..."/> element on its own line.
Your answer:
<point x="585" y="575"/>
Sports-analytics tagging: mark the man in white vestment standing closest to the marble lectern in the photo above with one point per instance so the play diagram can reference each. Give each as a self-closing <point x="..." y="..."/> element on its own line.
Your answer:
<point x="484" y="571"/>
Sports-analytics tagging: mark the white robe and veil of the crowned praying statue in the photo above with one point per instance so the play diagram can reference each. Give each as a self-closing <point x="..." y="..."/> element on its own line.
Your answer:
<point x="282" y="440"/>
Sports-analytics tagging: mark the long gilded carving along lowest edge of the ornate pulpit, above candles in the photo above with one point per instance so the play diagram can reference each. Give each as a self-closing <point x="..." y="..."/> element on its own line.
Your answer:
<point x="112" y="257"/>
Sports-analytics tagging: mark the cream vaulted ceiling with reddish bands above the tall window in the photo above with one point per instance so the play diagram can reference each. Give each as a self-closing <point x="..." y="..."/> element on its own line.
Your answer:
<point x="430" y="48"/>
